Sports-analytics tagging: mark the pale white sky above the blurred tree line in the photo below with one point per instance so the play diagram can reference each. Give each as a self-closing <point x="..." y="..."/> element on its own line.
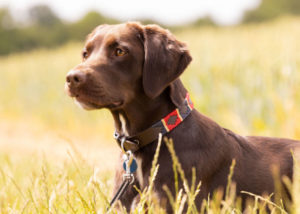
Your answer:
<point x="225" y="12"/>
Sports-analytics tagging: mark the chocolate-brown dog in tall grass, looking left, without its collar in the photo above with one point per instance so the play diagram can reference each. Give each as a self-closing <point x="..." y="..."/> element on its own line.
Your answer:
<point x="133" y="70"/>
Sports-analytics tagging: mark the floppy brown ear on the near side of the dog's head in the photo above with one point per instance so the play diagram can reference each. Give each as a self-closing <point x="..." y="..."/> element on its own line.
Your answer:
<point x="165" y="59"/>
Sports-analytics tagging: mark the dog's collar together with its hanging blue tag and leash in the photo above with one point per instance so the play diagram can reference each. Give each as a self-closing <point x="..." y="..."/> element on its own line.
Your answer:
<point x="130" y="144"/>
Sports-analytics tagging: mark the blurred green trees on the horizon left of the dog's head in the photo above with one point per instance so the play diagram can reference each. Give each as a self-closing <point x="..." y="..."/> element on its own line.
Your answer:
<point x="44" y="29"/>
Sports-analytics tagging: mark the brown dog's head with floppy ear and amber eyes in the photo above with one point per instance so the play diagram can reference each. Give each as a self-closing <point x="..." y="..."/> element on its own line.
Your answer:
<point x="123" y="62"/>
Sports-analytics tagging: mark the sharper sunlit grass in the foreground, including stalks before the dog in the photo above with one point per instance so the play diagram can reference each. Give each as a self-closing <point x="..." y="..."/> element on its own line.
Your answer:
<point x="35" y="185"/>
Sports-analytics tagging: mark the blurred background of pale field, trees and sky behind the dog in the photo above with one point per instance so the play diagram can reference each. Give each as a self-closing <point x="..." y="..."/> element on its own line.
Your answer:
<point x="244" y="73"/>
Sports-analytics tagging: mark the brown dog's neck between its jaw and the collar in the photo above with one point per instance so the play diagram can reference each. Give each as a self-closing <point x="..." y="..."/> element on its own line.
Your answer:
<point x="142" y="113"/>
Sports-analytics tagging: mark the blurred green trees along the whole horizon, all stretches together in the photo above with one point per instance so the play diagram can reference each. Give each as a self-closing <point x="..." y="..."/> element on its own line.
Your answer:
<point x="45" y="29"/>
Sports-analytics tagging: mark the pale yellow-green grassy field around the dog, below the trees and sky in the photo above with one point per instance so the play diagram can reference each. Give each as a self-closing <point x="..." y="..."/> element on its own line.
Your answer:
<point x="246" y="78"/>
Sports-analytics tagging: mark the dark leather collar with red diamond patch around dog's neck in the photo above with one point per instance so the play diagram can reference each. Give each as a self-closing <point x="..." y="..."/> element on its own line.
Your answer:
<point x="165" y="125"/>
